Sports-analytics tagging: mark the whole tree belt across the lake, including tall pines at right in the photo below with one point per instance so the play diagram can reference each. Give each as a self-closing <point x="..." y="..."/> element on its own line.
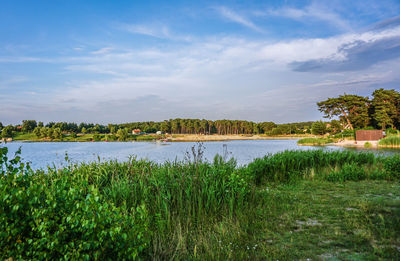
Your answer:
<point x="346" y="111"/>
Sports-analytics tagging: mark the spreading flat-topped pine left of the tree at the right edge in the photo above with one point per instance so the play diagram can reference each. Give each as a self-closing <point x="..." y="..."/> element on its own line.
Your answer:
<point x="351" y="108"/>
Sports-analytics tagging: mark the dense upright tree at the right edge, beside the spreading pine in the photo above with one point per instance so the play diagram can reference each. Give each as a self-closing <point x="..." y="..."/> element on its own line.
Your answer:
<point x="385" y="107"/>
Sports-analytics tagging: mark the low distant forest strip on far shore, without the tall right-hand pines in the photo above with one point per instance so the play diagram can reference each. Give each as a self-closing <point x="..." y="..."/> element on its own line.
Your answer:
<point x="54" y="130"/>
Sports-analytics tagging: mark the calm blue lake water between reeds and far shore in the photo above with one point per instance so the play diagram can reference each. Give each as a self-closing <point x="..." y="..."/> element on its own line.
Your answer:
<point x="42" y="154"/>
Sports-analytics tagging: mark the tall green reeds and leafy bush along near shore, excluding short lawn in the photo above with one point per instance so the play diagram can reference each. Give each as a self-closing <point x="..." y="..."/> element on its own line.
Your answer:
<point x="141" y="209"/>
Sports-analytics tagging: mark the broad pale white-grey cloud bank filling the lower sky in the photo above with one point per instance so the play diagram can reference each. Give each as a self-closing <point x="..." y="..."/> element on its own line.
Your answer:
<point x="213" y="77"/>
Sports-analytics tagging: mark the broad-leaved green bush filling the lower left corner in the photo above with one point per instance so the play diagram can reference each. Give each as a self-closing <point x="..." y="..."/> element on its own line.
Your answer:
<point x="52" y="217"/>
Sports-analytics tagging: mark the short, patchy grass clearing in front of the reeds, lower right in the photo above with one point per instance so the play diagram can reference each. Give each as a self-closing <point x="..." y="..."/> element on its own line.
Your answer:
<point x="312" y="220"/>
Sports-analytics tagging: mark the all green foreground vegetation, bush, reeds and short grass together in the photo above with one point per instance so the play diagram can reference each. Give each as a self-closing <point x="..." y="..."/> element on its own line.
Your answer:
<point x="293" y="205"/>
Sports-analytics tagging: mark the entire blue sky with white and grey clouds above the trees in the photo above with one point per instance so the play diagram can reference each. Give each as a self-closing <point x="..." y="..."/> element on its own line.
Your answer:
<point x="127" y="61"/>
